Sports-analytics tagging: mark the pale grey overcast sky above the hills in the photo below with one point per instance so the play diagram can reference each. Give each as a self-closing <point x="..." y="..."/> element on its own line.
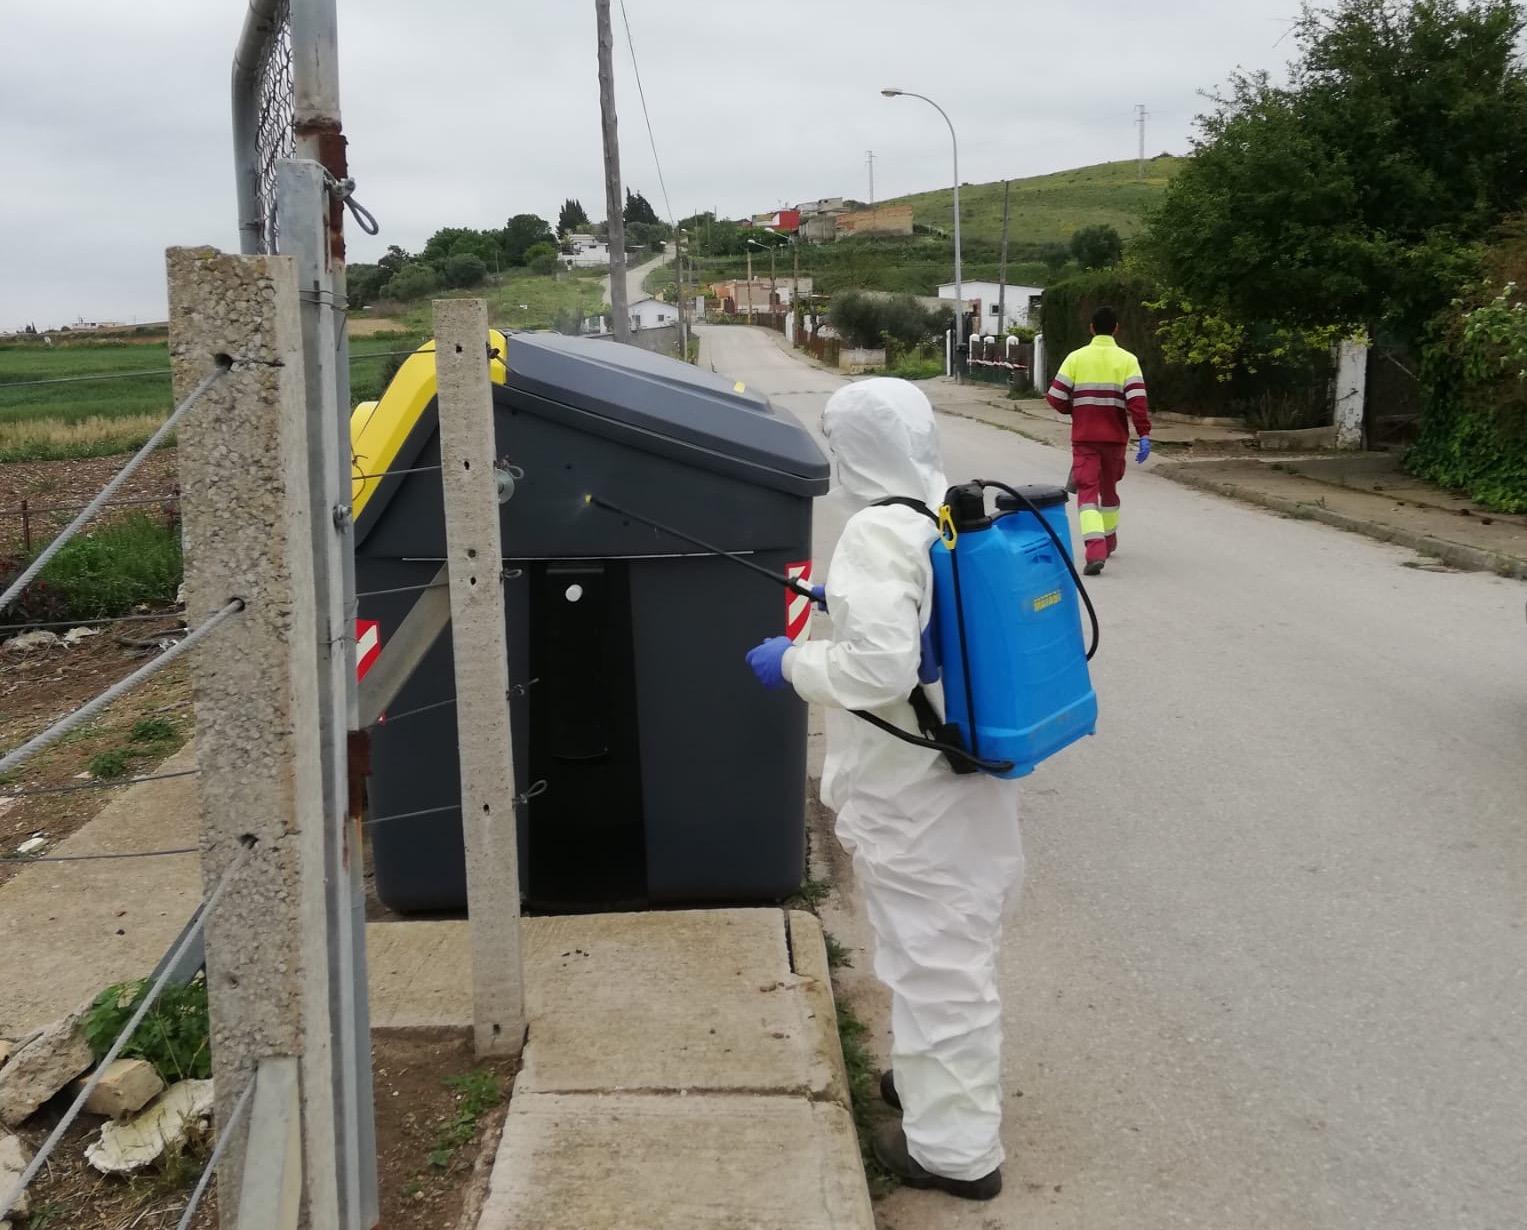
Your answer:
<point x="115" y="115"/>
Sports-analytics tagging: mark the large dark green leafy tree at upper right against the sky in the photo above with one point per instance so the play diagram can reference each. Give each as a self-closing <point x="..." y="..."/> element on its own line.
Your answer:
<point x="1355" y="195"/>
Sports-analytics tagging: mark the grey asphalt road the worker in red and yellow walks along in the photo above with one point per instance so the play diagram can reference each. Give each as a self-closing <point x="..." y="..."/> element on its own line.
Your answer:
<point x="1271" y="962"/>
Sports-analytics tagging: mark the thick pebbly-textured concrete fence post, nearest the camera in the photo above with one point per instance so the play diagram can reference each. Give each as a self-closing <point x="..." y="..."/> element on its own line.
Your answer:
<point x="245" y="474"/>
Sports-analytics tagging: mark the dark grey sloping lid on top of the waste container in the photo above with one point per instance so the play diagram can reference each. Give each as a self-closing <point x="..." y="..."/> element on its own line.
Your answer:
<point x="717" y="422"/>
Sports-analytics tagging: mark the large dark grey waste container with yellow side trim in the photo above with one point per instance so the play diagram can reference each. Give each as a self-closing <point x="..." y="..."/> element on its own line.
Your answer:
<point x="670" y="776"/>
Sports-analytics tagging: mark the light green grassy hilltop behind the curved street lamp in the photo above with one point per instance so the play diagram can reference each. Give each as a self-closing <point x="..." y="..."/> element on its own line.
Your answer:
<point x="1050" y="208"/>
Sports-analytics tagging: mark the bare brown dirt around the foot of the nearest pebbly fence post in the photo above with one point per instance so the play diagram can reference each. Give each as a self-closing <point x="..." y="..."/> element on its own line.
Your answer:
<point x="427" y="1182"/>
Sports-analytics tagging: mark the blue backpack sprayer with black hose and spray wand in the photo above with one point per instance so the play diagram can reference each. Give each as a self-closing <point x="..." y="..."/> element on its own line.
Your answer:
<point x="1007" y="629"/>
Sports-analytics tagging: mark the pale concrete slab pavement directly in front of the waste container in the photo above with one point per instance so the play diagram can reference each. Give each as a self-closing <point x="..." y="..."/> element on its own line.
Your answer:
<point x="677" y="1067"/>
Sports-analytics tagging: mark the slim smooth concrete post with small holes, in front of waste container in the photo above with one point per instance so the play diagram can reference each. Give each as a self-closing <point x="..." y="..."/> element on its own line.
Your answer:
<point x="476" y="559"/>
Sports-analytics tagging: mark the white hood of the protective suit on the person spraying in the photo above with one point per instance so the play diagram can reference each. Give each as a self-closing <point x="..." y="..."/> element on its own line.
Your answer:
<point x="885" y="442"/>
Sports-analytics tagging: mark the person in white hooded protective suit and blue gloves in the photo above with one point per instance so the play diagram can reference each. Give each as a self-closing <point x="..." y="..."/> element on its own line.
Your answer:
<point x="938" y="855"/>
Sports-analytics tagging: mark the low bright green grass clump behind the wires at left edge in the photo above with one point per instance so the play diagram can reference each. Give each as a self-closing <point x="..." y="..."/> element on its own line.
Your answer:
<point x="106" y="573"/>
